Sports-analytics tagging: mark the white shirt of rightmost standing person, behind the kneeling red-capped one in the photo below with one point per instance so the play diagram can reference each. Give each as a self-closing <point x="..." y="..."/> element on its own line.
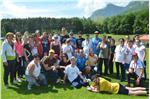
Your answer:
<point x="140" y="51"/>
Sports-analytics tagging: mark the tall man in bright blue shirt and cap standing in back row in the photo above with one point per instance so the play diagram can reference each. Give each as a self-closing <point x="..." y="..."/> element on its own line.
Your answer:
<point x="95" y="42"/>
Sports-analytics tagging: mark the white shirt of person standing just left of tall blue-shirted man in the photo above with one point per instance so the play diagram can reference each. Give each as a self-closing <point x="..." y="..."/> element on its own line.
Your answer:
<point x="86" y="46"/>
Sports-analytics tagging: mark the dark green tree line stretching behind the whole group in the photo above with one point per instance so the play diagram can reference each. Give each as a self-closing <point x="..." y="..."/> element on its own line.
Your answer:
<point x="132" y="23"/>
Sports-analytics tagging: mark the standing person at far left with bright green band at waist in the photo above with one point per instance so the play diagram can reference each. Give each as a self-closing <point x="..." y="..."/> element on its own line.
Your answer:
<point x="8" y="58"/>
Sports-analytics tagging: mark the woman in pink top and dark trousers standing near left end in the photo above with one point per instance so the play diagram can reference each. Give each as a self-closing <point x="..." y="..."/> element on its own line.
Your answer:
<point x="19" y="51"/>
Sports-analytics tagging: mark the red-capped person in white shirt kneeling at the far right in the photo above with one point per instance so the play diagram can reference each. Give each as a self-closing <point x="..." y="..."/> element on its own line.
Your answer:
<point x="136" y="70"/>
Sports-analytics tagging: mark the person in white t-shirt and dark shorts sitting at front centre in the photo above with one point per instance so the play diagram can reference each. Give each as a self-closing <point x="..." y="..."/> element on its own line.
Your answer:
<point x="74" y="75"/>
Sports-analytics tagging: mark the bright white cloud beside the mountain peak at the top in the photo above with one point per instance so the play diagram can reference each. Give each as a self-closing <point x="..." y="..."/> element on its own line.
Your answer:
<point x="89" y="6"/>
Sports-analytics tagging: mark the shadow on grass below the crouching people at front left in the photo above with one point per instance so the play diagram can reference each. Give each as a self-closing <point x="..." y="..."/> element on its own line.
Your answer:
<point x="22" y="88"/>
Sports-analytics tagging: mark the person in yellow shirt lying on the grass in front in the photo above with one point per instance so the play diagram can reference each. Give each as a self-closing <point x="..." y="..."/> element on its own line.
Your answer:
<point x="103" y="85"/>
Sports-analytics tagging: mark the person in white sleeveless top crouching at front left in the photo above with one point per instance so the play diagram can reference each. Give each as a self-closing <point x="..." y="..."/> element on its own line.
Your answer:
<point x="33" y="73"/>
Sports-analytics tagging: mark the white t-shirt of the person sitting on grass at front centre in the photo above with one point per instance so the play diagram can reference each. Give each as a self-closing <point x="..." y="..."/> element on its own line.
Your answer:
<point x="72" y="72"/>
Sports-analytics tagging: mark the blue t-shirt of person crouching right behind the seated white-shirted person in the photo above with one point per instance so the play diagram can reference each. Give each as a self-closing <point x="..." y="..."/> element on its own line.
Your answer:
<point x="81" y="62"/>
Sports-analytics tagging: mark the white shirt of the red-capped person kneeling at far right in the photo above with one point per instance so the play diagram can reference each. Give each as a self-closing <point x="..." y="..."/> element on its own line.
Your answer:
<point x="137" y="66"/>
